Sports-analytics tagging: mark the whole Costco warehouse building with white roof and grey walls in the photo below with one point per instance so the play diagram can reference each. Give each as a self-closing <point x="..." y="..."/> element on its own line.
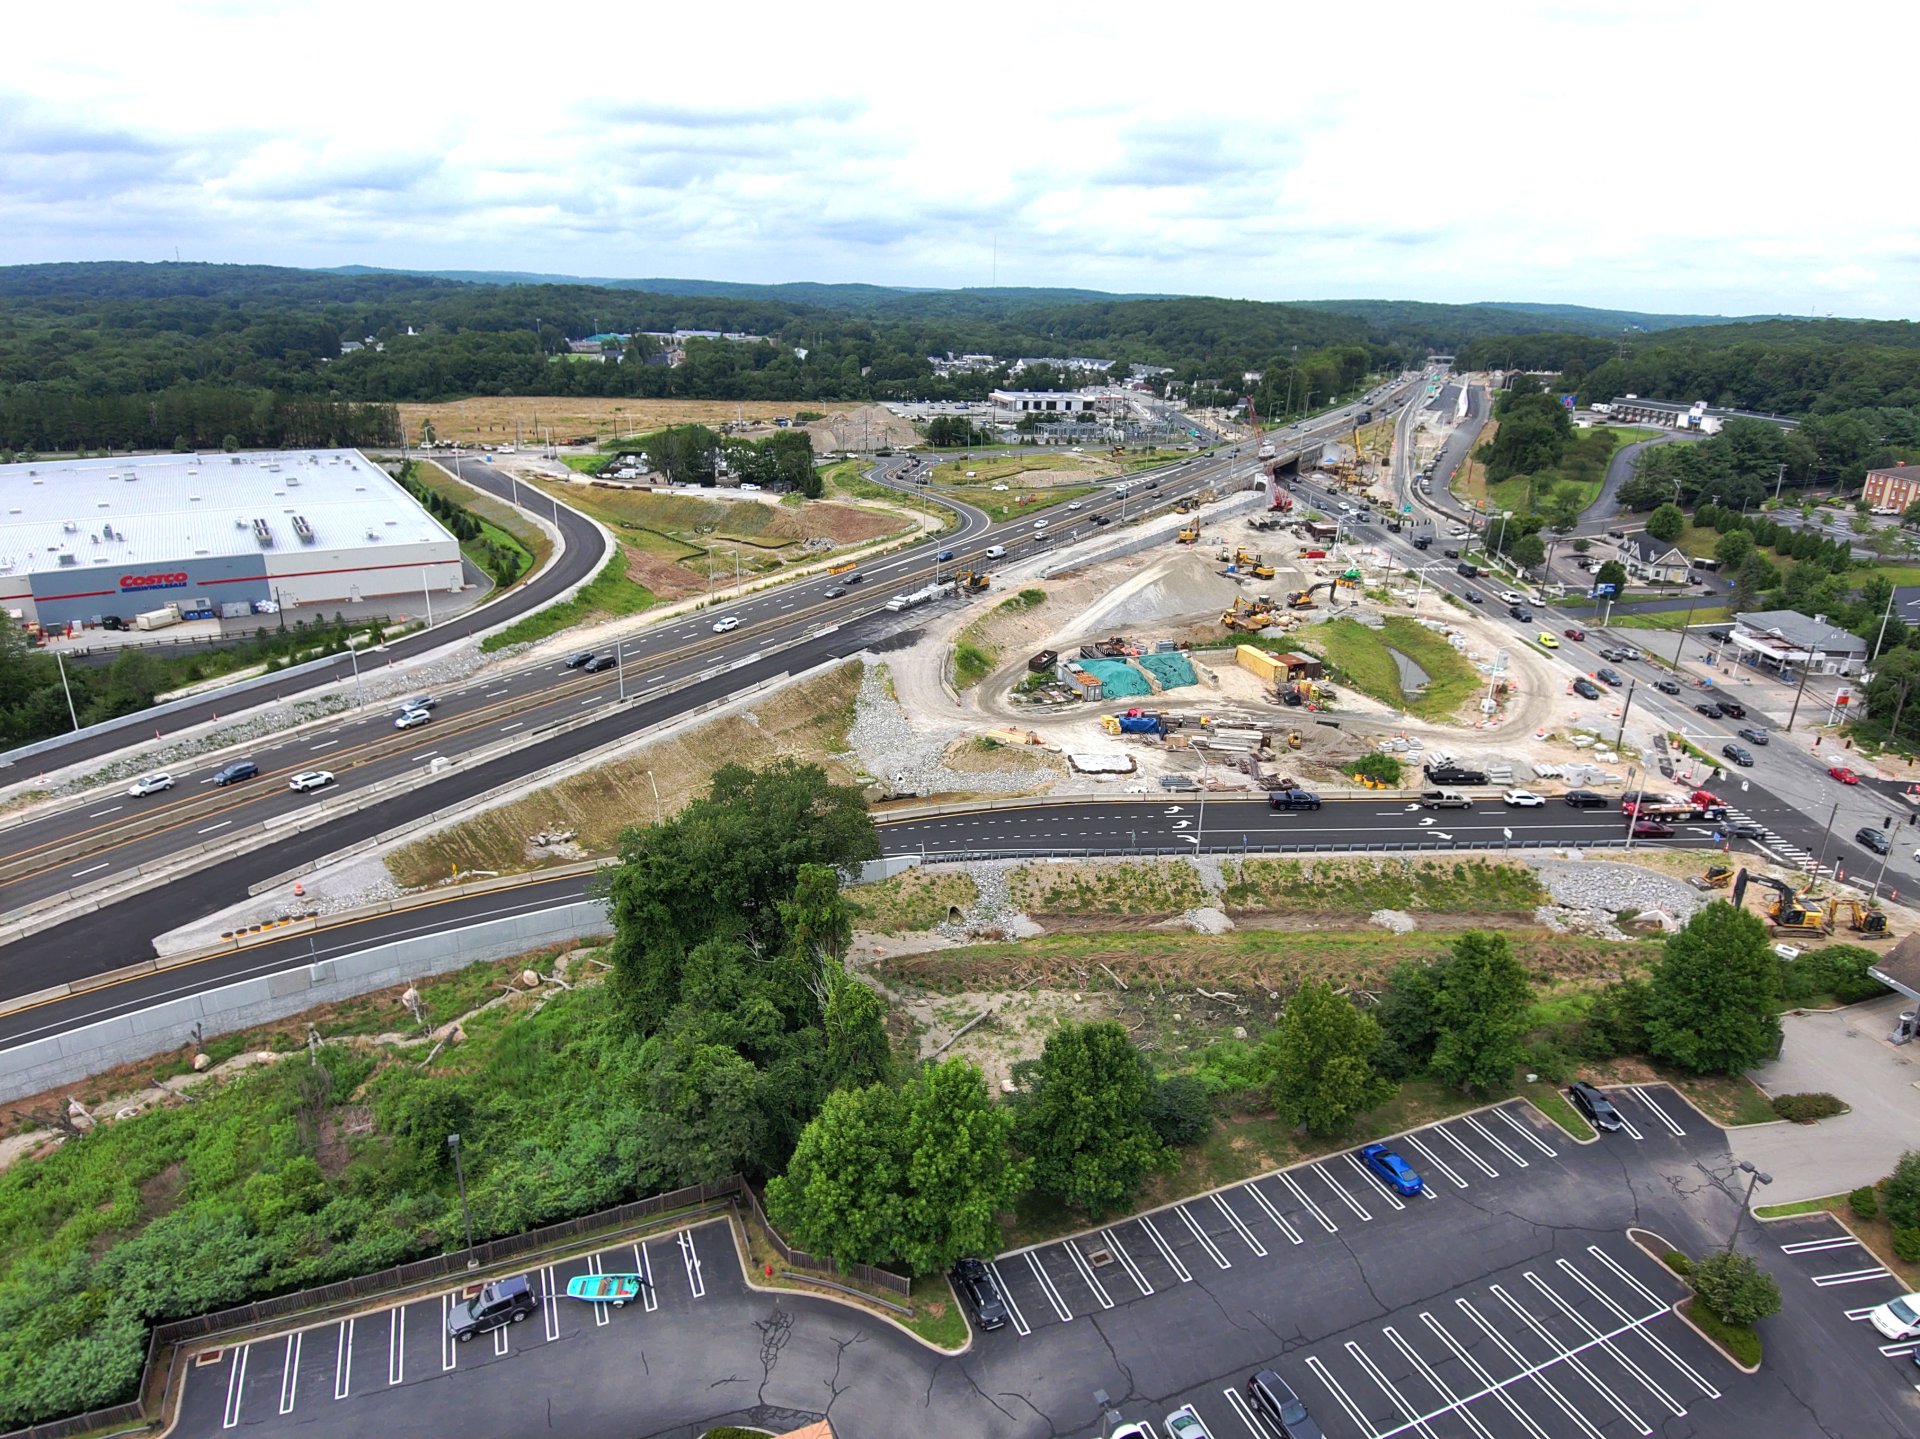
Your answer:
<point x="214" y="535"/>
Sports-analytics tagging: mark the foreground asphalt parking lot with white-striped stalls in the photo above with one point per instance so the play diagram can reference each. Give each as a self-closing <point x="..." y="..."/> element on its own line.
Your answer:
<point x="1504" y="1304"/>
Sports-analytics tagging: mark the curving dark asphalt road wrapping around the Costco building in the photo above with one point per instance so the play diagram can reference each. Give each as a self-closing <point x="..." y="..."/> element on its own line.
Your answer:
<point x="585" y="552"/>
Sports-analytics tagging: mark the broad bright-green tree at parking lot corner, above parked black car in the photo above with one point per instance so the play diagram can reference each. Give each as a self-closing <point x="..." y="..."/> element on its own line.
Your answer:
<point x="913" y="1177"/>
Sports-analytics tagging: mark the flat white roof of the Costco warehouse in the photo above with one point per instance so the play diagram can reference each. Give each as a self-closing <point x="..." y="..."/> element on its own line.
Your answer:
<point x="76" y="514"/>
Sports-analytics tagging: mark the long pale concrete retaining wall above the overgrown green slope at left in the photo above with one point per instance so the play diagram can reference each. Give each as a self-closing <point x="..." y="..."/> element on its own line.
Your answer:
<point x="89" y="1050"/>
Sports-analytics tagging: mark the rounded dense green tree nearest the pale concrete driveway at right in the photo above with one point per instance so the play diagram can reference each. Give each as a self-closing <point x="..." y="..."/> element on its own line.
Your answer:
<point x="1714" y="1000"/>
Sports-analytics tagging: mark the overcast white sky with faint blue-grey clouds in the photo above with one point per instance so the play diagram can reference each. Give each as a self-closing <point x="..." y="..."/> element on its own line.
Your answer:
<point x="1673" y="157"/>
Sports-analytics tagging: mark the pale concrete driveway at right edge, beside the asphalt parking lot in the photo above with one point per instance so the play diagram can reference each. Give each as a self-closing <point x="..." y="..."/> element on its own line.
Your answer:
<point x="1842" y="1054"/>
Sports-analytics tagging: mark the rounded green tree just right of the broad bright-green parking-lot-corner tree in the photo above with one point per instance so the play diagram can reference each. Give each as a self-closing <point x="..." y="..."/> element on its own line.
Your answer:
<point x="1088" y="1123"/>
